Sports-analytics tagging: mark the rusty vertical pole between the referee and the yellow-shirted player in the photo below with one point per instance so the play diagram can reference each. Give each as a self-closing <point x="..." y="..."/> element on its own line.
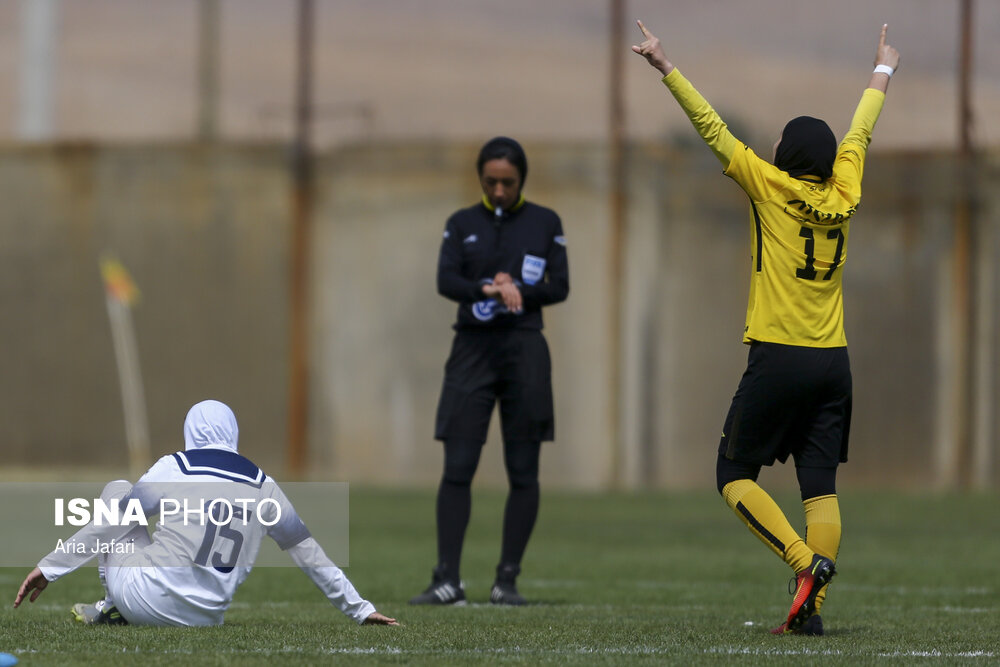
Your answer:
<point x="616" y="169"/>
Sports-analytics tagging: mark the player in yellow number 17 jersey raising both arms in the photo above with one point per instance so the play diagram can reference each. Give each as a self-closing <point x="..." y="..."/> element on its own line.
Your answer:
<point x="795" y="395"/>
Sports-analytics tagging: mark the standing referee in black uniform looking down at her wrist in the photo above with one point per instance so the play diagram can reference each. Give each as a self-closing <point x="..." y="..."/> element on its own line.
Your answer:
<point x="497" y="356"/>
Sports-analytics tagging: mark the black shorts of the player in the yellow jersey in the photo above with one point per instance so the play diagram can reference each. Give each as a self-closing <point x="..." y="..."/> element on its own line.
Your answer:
<point x="791" y="400"/>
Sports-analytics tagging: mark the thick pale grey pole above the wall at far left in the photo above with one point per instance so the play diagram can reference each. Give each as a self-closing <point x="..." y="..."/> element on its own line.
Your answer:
<point x="36" y="112"/>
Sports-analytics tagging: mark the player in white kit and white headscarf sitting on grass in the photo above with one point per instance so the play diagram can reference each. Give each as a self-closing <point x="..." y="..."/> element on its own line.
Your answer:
<point x="188" y="572"/>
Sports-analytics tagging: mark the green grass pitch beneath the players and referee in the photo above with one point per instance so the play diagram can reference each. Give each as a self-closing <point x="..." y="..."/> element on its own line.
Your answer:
<point x="613" y="579"/>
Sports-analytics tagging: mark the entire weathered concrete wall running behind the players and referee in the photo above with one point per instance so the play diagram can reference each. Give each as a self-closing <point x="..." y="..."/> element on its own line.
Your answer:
<point x="205" y="233"/>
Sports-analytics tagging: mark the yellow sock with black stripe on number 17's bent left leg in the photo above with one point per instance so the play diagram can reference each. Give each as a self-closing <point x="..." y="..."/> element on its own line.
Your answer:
<point x="766" y="520"/>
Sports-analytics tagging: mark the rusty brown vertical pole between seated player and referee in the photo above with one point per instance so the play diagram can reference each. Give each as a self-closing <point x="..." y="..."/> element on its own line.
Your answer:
<point x="301" y="205"/>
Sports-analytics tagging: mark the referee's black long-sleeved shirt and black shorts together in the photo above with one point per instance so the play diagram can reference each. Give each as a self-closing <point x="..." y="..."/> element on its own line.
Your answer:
<point x="496" y="354"/>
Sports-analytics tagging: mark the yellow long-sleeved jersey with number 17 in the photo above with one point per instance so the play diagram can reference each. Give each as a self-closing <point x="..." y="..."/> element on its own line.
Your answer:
<point x="798" y="226"/>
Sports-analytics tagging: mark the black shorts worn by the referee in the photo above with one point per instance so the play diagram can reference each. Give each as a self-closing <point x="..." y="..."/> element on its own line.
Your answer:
<point x="511" y="366"/>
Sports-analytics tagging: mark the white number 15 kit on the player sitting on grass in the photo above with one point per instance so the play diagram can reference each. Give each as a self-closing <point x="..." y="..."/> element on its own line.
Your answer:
<point x="201" y="551"/>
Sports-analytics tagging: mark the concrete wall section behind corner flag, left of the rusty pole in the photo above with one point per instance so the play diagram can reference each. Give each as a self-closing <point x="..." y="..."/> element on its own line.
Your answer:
<point x="204" y="235"/>
